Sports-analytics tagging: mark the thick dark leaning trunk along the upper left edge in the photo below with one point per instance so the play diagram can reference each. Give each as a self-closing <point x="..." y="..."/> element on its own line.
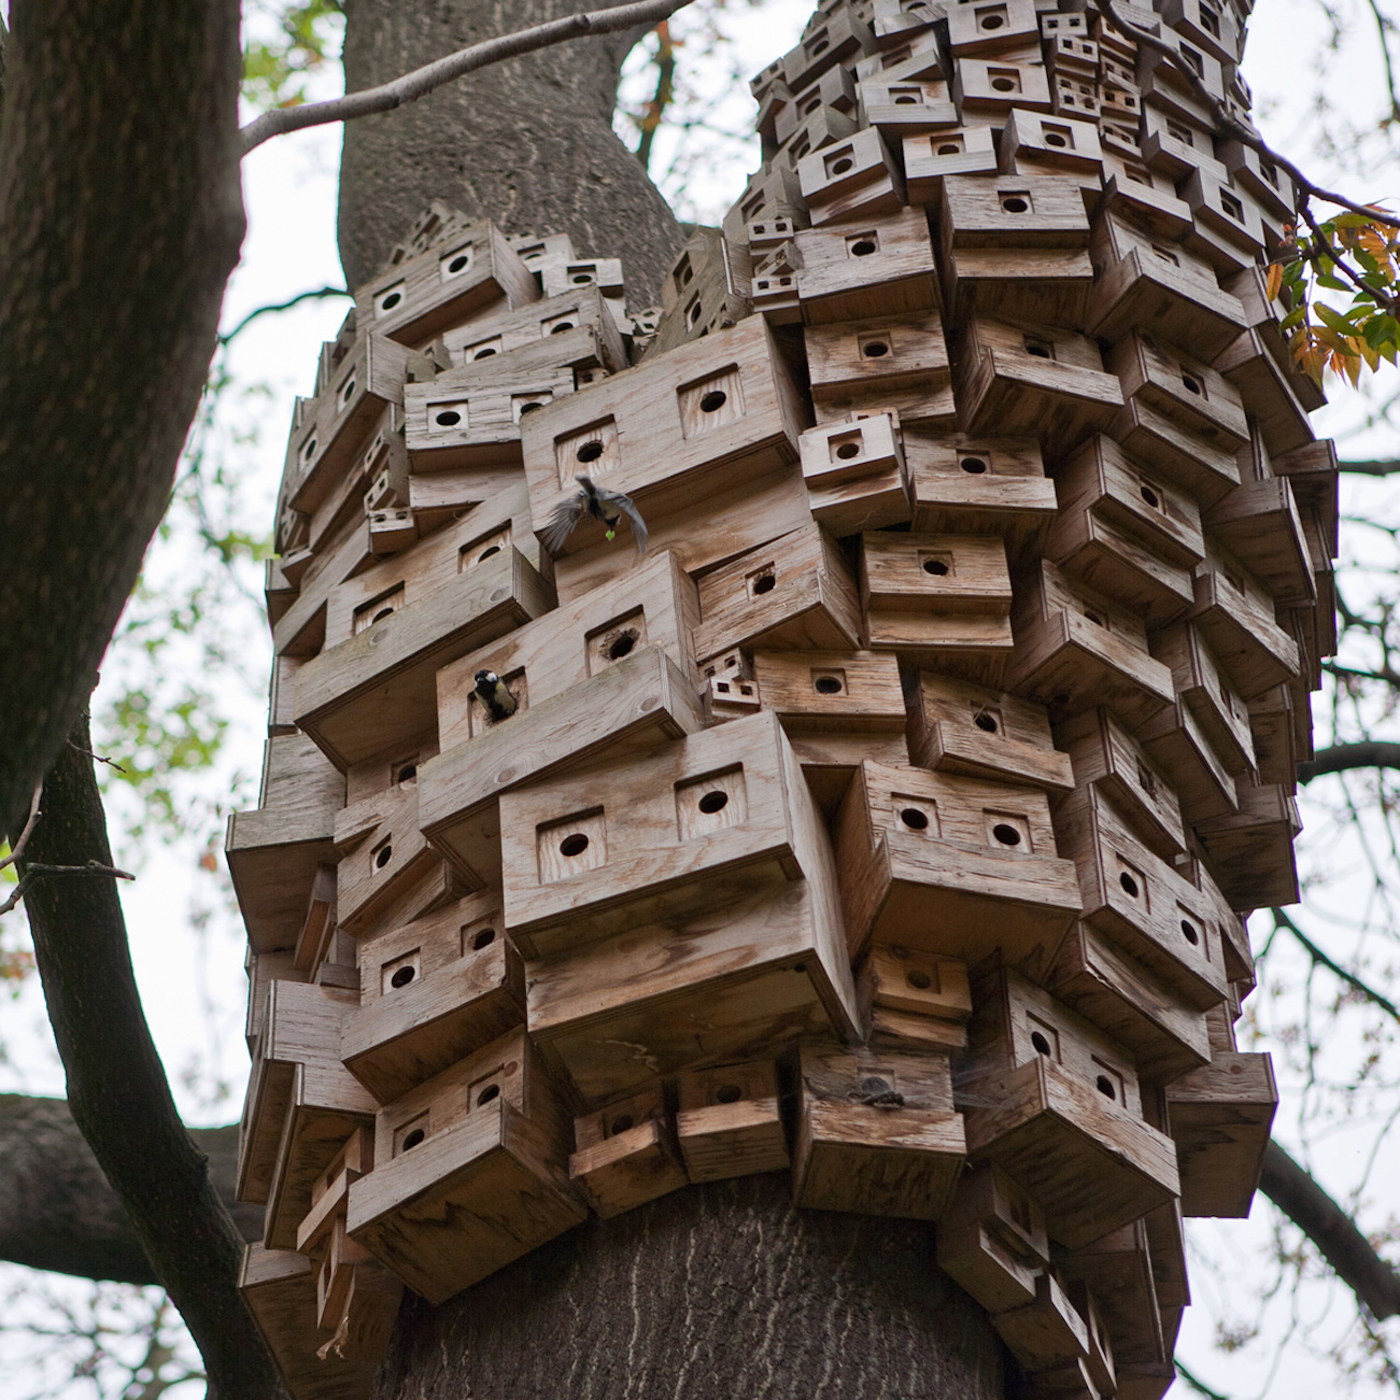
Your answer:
<point x="120" y="222"/>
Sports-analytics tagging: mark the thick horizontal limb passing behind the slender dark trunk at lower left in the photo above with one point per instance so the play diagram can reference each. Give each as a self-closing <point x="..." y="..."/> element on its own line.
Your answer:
<point x="59" y="1212"/>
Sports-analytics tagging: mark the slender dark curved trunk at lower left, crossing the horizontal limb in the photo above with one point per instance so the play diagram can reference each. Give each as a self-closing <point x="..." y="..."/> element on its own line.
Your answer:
<point x="117" y="1084"/>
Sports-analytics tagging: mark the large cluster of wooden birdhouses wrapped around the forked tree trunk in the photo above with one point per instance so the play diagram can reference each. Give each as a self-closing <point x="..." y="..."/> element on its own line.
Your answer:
<point x="888" y="815"/>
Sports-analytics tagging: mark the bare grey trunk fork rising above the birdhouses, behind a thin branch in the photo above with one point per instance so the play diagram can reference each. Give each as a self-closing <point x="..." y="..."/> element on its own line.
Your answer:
<point x="527" y="143"/>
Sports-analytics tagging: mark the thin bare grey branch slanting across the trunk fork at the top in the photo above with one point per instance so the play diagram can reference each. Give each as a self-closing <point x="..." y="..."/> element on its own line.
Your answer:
<point x="422" y="82"/>
